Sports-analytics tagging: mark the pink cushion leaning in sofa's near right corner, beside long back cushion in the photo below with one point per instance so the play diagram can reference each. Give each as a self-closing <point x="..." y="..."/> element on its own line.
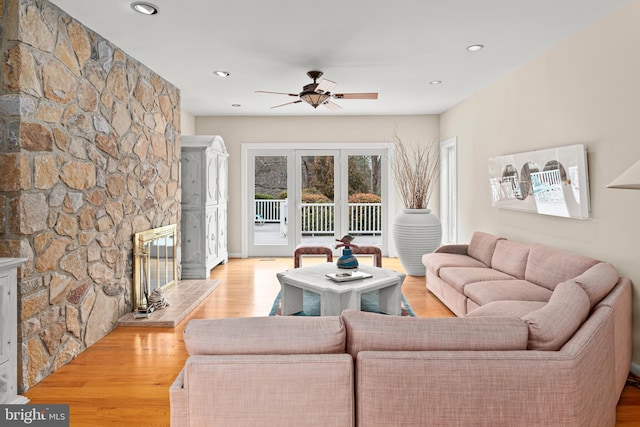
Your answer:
<point x="552" y="325"/>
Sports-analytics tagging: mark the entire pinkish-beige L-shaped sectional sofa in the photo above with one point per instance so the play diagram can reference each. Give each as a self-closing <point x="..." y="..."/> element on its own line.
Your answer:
<point x="558" y="359"/>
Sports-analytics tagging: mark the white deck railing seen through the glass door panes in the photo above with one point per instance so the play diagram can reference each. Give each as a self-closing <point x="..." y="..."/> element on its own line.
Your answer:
<point x="318" y="218"/>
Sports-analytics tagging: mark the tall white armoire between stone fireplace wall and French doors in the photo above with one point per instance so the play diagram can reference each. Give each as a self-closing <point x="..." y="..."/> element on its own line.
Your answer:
<point x="204" y="205"/>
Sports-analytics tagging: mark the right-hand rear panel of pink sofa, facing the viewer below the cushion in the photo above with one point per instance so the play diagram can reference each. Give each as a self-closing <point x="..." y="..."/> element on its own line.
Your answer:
<point x="573" y="386"/>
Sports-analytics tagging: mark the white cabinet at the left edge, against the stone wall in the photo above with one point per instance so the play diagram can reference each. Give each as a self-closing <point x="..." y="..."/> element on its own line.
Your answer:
<point x="9" y="331"/>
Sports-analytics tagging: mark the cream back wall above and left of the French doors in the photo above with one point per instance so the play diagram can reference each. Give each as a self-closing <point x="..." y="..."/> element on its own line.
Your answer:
<point x="299" y="129"/>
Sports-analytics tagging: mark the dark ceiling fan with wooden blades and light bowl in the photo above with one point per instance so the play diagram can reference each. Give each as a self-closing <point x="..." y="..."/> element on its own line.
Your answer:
<point x="319" y="93"/>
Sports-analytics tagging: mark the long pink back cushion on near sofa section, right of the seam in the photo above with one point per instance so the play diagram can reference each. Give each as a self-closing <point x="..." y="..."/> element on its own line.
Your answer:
<point x="378" y="332"/>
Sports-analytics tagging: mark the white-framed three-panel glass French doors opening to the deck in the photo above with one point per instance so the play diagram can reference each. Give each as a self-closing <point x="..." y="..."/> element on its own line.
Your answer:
<point x="314" y="196"/>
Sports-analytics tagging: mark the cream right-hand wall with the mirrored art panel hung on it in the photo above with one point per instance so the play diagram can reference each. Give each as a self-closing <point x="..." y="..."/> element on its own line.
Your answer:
<point x="585" y="90"/>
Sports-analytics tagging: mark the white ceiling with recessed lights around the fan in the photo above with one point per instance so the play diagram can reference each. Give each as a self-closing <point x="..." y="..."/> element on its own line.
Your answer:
<point x="392" y="47"/>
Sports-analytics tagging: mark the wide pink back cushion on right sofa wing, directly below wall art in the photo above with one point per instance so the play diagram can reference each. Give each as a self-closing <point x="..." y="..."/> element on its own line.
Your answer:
<point x="549" y="266"/>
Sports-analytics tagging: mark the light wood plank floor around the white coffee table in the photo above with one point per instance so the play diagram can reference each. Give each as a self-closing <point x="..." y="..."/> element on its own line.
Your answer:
<point x="124" y="378"/>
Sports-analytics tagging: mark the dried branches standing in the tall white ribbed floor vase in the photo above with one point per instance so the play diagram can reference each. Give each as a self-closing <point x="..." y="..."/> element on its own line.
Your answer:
<point x="416" y="169"/>
